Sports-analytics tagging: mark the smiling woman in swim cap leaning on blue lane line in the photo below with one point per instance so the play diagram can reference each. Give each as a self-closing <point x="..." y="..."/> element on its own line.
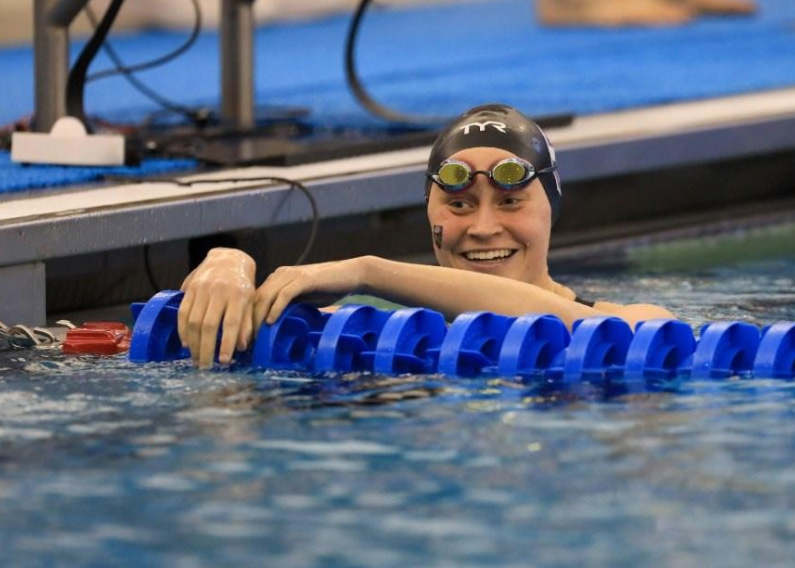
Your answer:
<point x="493" y="194"/>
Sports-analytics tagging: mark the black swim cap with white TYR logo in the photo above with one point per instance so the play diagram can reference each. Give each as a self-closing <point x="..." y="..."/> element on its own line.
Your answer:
<point x="499" y="126"/>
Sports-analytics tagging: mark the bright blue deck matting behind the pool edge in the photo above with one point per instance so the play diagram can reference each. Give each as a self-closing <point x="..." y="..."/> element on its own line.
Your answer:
<point x="437" y="60"/>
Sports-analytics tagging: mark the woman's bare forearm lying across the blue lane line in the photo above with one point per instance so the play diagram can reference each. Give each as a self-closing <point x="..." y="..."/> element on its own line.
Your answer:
<point x="452" y="292"/>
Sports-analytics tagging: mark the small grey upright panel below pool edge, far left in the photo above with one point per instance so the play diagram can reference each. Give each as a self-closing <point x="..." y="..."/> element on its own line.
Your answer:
<point x="22" y="294"/>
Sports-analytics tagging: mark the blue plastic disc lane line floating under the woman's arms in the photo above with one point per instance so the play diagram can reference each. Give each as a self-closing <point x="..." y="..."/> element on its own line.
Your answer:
<point x="603" y="350"/>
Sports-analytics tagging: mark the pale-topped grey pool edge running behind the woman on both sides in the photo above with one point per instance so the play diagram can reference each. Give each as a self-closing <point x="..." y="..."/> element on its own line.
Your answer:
<point x="63" y="223"/>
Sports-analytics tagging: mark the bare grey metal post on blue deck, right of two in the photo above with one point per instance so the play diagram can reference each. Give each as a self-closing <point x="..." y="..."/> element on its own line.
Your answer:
<point x="237" y="63"/>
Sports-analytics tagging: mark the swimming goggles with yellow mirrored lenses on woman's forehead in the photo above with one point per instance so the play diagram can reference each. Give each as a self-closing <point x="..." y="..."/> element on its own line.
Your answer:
<point x="509" y="174"/>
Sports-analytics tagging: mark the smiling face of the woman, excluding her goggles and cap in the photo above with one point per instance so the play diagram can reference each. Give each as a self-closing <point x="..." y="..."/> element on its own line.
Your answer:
<point x="489" y="230"/>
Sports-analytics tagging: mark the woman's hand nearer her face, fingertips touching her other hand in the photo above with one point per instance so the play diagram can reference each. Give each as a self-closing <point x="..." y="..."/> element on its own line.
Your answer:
<point x="322" y="284"/>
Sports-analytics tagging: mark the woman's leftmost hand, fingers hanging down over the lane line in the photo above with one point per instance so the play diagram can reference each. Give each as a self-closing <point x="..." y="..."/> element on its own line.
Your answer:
<point x="220" y="289"/>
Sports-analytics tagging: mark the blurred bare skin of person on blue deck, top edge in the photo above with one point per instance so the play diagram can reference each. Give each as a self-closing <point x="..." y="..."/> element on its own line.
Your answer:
<point x="615" y="13"/>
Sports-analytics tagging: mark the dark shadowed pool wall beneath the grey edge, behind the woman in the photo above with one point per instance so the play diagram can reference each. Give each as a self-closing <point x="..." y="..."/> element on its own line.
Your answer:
<point x="602" y="221"/>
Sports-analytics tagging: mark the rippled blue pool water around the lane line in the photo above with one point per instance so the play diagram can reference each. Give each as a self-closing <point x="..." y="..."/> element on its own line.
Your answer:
<point x="107" y="463"/>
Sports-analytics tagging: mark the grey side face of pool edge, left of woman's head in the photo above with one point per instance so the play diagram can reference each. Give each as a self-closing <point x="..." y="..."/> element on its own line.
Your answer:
<point x="115" y="228"/>
